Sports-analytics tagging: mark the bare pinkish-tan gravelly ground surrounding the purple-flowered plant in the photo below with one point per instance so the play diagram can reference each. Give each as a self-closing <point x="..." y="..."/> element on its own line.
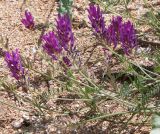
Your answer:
<point x="13" y="117"/>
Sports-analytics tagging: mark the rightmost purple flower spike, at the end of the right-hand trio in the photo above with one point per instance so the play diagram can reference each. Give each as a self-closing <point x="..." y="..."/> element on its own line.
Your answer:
<point x="128" y="37"/>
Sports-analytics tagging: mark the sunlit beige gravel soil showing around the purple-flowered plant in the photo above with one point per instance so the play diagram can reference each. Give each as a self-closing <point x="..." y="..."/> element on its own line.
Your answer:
<point x="14" y="35"/>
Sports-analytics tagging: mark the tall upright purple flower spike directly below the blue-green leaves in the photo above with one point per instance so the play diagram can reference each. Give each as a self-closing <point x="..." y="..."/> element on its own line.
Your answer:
<point x="64" y="32"/>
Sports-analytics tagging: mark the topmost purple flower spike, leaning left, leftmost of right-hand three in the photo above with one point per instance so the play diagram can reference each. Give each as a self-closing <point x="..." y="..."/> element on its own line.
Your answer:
<point x="96" y="19"/>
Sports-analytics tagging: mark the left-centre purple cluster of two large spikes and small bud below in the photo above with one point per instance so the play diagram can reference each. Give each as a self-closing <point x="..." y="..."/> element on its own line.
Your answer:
<point x="54" y="44"/>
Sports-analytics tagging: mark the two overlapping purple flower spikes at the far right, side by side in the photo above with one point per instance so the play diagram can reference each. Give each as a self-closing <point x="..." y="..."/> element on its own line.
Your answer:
<point x="123" y="33"/>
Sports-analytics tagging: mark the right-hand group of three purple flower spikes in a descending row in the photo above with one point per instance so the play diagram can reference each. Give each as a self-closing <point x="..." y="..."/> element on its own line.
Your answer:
<point x="118" y="32"/>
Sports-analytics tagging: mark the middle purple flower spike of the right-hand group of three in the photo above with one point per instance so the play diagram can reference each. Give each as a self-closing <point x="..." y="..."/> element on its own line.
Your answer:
<point x="113" y="31"/>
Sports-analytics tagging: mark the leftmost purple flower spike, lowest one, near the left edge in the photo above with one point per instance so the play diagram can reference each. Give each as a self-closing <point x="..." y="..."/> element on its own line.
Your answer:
<point x="14" y="64"/>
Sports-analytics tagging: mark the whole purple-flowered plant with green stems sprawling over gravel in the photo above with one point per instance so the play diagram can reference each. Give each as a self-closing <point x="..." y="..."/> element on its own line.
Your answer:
<point x="132" y="87"/>
